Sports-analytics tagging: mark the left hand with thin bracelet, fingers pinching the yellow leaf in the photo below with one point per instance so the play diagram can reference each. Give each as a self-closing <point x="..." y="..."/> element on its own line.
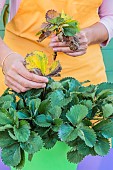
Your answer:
<point x="18" y="78"/>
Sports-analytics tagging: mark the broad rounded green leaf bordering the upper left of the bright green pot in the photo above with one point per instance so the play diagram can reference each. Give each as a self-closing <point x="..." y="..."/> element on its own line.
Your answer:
<point x="33" y="145"/>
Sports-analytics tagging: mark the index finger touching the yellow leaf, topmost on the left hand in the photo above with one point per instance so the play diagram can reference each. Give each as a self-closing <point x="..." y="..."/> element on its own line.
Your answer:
<point x="26" y="74"/>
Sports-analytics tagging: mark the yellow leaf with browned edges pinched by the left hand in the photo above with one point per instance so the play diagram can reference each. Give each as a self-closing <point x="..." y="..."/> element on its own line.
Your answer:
<point x="37" y="62"/>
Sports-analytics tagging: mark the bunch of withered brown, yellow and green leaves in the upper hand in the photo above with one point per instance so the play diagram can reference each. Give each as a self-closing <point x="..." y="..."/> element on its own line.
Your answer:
<point x="62" y="26"/>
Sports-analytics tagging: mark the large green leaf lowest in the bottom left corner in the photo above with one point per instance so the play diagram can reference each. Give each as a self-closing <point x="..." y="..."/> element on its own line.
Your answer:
<point x="11" y="155"/>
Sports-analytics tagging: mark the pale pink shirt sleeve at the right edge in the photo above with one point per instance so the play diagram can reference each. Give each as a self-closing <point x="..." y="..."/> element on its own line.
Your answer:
<point x="106" y="18"/>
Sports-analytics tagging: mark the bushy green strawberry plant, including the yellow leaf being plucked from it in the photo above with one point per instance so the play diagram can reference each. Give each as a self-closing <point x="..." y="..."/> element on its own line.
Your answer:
<point x="66" y="110"/>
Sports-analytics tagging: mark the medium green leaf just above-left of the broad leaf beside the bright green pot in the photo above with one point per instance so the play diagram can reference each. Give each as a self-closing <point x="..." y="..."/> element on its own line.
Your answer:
<point x="22" y="132"/>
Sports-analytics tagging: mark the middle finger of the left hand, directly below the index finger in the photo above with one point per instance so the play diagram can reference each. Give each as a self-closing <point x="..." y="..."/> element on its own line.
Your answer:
<point x="25" y="82"/>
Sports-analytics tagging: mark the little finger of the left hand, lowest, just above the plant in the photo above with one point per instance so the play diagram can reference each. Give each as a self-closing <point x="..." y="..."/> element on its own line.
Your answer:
<point x="15" y="84"/>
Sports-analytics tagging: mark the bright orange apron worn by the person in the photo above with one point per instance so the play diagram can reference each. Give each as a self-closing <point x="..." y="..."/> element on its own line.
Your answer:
<point x="20" y="36"/>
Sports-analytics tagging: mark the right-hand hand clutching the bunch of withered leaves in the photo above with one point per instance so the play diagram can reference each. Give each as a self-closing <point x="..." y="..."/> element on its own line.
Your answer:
<point x="63" y="47"/>
